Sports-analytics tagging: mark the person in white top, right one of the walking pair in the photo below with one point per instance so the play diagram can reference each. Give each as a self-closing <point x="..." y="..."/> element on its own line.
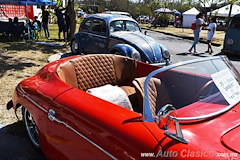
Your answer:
<point x="211" y="30"/>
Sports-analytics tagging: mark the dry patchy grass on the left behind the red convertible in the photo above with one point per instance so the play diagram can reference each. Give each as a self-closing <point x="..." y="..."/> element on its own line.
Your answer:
<point x="20" y="60"/>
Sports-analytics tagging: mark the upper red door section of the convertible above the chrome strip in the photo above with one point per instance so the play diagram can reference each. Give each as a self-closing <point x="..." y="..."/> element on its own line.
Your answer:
<point x="118" y="127"/>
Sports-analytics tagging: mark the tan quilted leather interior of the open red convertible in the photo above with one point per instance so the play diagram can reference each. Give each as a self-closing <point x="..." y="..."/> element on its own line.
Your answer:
<point x="93" y="71"/>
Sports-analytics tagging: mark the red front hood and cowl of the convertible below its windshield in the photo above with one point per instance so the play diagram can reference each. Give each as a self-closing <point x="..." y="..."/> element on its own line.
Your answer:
<point x="197" y="132"/>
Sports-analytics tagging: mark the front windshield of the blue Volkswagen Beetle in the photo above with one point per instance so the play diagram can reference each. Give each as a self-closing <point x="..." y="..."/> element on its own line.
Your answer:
<point x="121" y="25"/>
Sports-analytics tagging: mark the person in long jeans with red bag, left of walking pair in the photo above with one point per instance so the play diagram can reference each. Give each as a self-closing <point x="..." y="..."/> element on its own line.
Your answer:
<point x="199" y="24"/>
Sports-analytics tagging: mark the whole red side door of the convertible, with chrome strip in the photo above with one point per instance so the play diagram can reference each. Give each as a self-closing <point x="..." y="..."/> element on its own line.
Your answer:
<point x="86" y="127"/>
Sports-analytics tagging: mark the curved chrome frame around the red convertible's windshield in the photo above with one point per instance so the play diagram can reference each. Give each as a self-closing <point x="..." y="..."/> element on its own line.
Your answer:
<point x="147" y="114"/>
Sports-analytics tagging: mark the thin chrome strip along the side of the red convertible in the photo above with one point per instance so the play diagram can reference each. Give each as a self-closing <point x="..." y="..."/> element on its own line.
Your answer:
<point x="68" y="126"/>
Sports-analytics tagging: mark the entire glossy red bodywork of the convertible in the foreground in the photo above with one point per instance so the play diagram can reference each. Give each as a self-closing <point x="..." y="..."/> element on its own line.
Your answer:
<point x="117" y="130"/>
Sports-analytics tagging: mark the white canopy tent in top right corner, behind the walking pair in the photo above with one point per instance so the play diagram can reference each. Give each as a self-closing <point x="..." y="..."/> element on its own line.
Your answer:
<point x="224" y="11"/>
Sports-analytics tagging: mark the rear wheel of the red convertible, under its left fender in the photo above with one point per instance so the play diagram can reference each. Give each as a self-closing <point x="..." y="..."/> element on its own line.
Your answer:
<point x="31" y="128"/>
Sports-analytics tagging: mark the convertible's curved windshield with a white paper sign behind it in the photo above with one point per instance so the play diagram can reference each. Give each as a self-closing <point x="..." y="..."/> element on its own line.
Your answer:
<point x="201" y="88"/>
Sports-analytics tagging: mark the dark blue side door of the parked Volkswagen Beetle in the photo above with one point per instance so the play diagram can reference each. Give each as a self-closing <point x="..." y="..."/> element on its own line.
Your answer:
<point x="97" y="37"/>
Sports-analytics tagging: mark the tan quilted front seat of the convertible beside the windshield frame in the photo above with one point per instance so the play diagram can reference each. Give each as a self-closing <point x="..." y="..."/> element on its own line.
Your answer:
<point x="158" y="95"/>
